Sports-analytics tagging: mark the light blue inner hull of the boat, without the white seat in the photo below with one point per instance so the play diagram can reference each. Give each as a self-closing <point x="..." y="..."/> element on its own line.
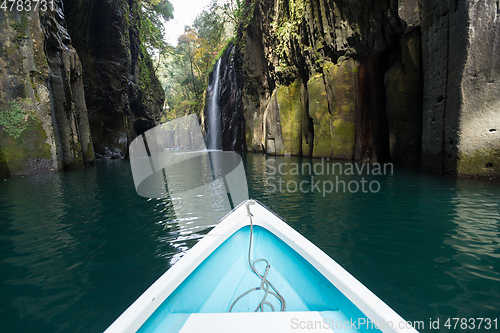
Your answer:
<point x="225" y="275"/>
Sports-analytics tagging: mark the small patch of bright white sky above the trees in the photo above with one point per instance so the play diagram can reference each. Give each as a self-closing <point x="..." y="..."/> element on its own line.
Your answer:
<point x="185" y="11"/>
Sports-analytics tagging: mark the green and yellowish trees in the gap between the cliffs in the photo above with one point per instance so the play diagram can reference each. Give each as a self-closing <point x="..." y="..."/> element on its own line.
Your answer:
<point x="184" y="69"/>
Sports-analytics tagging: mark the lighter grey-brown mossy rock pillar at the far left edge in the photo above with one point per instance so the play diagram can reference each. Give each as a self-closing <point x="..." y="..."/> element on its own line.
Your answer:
<point x="40" y="132"/>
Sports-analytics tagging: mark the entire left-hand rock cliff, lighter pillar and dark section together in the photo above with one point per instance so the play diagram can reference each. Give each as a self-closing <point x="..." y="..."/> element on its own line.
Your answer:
<point x="65" y="101"/>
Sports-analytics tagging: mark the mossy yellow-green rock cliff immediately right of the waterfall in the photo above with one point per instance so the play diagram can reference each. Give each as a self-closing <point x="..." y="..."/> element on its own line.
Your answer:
<point x="328" y="56"/>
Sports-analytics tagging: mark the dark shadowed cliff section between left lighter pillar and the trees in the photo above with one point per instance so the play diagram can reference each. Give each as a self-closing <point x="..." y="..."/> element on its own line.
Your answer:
<point x="124" y="97"/>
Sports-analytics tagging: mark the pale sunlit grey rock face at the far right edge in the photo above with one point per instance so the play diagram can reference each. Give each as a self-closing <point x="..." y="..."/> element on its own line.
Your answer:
<point x="478" y="139"/>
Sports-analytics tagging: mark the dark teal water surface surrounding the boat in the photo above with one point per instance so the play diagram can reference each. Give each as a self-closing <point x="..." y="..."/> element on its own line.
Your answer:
<point x="77" y="248"/>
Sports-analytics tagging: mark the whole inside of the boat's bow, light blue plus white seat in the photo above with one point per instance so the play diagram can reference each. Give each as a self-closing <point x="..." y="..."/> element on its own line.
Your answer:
<point x="201" y="303"/>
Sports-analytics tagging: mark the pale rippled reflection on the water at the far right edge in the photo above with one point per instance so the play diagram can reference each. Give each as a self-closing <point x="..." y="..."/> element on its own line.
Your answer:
<point x="474" y="262"/>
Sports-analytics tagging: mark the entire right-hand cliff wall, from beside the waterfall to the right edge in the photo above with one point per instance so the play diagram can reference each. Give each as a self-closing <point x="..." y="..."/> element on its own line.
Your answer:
<point x="414" y="82"/>
